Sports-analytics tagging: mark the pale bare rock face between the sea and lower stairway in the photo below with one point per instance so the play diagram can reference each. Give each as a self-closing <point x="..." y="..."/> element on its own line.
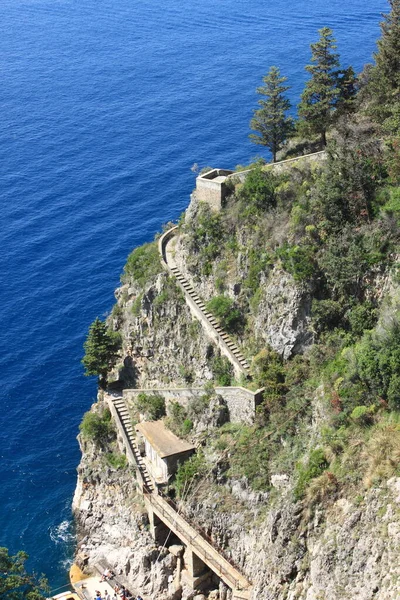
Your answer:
<point x="112" y="524"/>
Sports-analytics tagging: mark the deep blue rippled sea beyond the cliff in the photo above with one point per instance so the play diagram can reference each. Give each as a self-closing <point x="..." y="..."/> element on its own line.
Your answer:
<point x="105" y="105"/>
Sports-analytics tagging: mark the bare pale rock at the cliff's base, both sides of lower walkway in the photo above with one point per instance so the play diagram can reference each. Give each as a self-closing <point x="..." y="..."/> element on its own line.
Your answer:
<point x="346" y="550"/>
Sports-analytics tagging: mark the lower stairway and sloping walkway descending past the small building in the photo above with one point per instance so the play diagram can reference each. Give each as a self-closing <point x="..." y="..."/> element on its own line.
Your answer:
<point x="167" y="511"/>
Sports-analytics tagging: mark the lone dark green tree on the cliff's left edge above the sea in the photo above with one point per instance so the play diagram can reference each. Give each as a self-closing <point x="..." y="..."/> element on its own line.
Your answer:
<point x="101" y="348"/>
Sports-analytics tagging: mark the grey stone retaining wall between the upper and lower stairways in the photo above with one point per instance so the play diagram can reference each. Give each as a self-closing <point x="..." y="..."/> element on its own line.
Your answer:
<point x="241" y="403"/>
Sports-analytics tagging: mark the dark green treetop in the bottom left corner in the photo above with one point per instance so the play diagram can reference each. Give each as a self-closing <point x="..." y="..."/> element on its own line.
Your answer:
<point x="15" y="582"/>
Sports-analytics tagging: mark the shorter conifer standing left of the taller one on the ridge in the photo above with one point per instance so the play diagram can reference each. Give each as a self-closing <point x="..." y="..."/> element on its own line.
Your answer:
<point x="270" y="121"/>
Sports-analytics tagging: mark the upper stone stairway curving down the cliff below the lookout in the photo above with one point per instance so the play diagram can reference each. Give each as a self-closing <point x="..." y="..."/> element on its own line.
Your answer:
<point x="209" y="322"/>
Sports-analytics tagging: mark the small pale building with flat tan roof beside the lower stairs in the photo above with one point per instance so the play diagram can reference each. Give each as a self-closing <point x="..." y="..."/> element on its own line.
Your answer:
<point x="161" y="449"/>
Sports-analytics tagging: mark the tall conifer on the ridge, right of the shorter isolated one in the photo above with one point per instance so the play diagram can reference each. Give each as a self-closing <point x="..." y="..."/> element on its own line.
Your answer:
<point x="321" y="94"/>
